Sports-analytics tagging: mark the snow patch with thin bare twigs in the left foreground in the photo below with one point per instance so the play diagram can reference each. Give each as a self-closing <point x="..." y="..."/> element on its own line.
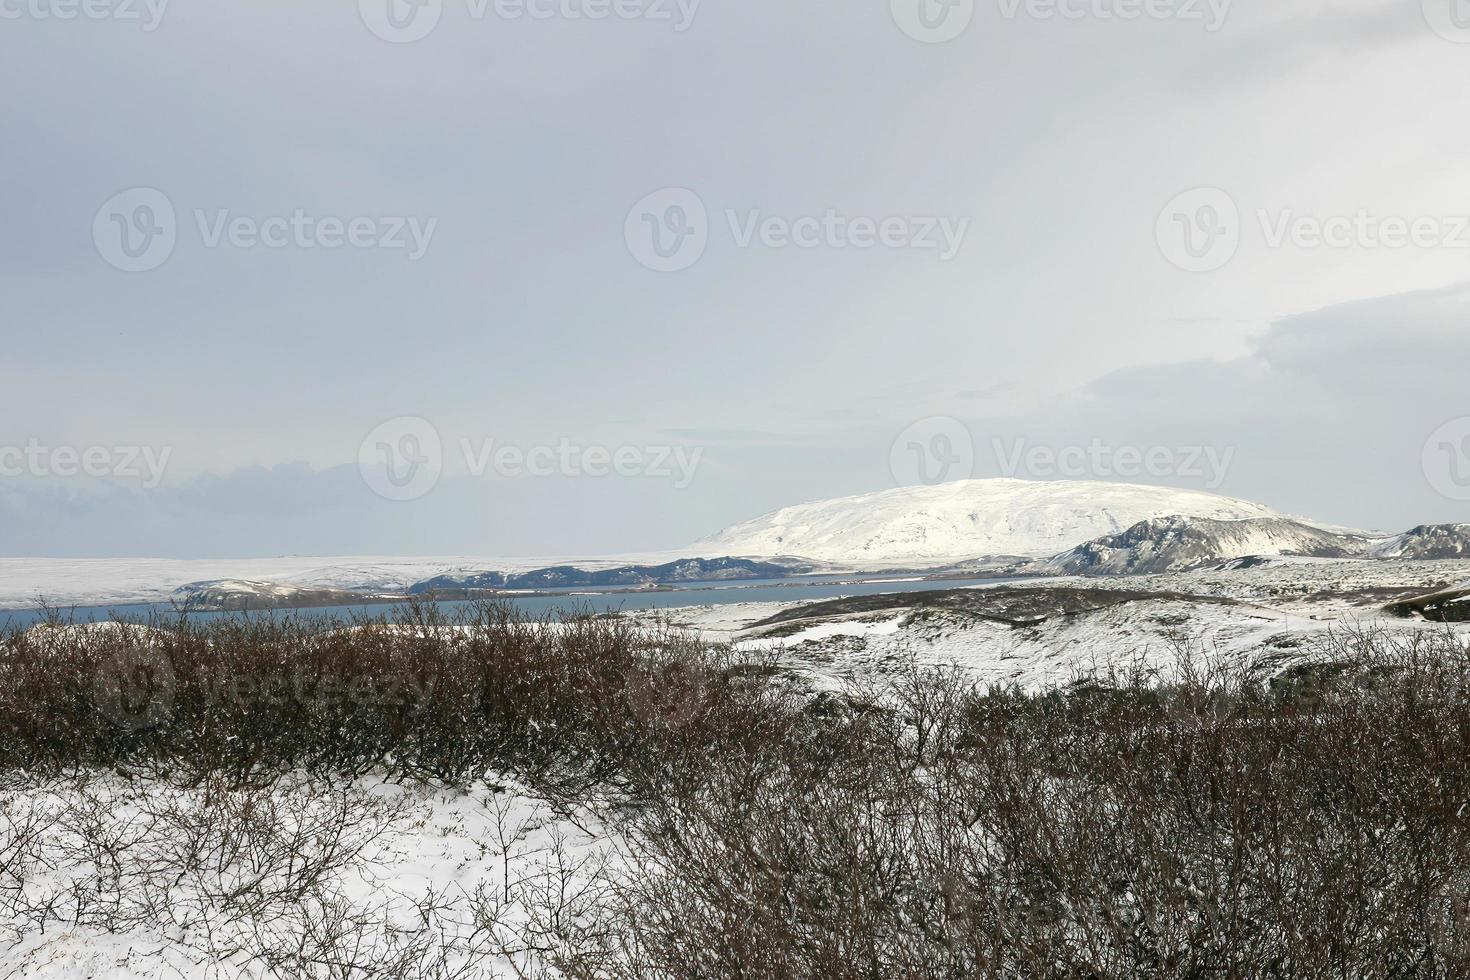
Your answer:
<point x="199" y="885"/>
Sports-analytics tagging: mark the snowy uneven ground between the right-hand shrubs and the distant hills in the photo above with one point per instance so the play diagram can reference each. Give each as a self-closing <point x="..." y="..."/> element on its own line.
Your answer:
<point x="1240" y="616"/>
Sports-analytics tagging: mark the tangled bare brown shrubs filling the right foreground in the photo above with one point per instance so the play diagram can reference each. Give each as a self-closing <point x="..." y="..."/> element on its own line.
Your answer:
<point x="1308" y="825"/>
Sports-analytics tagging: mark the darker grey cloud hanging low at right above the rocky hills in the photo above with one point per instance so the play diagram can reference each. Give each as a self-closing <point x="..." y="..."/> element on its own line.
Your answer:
<point x="1328" y="418"/>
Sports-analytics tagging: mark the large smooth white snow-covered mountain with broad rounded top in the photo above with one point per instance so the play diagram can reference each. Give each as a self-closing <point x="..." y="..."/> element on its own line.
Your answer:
<point x="968" y="519"/>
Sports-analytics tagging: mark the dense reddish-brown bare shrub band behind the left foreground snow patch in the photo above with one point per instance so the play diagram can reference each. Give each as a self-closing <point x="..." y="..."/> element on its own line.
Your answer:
<point x="420" y="696"/>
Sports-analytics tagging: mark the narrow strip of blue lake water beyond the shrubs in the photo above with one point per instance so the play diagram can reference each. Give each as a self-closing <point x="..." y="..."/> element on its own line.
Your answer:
<point x="551" y="606"/>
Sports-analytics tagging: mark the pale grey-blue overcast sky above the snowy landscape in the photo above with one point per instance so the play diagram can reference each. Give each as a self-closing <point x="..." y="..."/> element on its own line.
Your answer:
<point x="593" y="277"/>
